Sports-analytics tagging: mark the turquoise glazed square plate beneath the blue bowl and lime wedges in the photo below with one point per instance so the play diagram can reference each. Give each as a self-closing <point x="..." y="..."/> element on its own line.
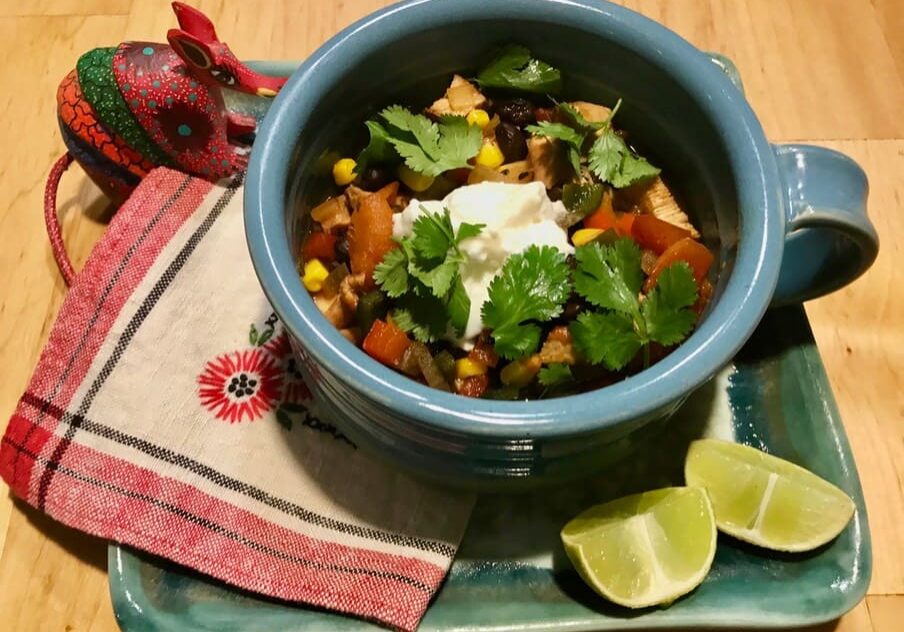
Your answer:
<point x="511" y="573"/>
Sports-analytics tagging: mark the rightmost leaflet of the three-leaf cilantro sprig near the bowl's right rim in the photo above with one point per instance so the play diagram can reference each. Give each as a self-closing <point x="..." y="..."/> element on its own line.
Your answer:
<point x="666" y="310"/>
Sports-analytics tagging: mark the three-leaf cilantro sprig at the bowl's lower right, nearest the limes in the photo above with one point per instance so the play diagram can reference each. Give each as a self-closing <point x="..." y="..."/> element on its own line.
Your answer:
<point x="610" y="277"/>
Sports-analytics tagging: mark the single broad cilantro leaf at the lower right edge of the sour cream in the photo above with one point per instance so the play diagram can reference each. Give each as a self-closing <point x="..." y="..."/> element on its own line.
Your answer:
<point x="531" y="286"/>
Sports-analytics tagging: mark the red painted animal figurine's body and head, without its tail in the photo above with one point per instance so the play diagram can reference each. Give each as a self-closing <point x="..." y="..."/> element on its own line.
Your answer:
<point x="125" y="110"/>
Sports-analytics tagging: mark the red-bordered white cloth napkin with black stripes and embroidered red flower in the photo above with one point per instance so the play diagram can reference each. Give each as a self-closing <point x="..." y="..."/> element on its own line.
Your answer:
<point x="166" y="413"/>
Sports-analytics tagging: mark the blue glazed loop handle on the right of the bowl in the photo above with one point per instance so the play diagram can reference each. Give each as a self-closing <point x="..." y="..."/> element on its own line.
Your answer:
<point x="829" y="240"/>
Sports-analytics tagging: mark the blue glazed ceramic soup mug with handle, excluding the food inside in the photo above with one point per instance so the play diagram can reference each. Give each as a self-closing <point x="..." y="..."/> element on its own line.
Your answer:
<point x="790" y="217"/>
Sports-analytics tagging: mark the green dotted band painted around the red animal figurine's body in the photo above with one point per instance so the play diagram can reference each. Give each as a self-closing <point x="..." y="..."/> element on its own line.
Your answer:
<point x="95" y="74"/>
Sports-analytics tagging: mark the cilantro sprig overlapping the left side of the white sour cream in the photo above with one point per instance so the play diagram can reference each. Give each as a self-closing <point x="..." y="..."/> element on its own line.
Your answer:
<point x="423" y="273"/>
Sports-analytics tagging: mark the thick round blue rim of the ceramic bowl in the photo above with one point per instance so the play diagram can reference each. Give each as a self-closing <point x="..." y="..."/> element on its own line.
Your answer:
<point x="732" y="319"/>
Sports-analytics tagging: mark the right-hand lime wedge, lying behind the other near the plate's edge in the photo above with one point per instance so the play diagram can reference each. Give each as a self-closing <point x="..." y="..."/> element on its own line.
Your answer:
<point x="765" y="500"/>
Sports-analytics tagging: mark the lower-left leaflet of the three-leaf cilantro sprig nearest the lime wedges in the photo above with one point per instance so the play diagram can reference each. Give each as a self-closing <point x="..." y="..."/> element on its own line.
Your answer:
<point x="609" y="338"/>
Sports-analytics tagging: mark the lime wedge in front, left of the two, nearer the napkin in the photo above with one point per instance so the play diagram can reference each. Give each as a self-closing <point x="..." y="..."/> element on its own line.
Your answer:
<point x="644" y="549"/>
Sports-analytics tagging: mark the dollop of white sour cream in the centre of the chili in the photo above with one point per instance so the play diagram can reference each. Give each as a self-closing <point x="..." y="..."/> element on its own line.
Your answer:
<point x="515" y="216"/>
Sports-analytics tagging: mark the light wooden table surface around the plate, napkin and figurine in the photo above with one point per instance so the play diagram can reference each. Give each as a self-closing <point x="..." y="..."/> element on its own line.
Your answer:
<point x="829" y="72"/>
